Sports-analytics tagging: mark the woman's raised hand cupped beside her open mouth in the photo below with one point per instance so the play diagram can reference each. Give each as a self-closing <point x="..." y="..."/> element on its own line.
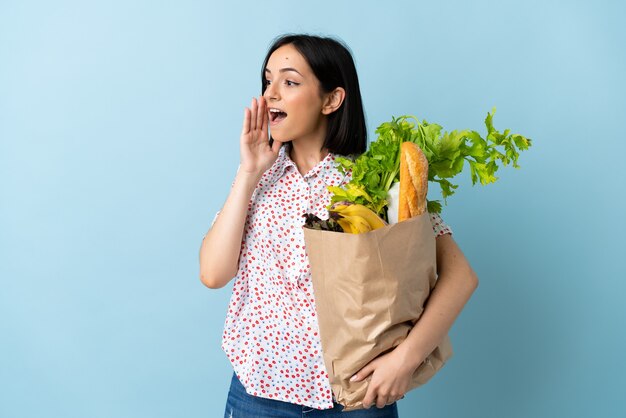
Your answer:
<point x="256" y="153"/>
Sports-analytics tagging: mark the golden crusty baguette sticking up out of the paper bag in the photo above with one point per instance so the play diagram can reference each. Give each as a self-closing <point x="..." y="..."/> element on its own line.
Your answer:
<point x="413" y="181"/>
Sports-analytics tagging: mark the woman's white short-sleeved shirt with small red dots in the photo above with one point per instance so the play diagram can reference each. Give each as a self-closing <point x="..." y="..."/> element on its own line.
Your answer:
<point x="271" y="335"/>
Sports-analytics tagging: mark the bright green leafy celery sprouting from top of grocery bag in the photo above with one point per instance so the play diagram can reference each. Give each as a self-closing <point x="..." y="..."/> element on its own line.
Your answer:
<point x="376" y="170"/>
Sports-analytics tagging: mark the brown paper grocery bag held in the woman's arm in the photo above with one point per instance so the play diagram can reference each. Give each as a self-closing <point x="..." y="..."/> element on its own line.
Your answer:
<point x="370" y="290"/>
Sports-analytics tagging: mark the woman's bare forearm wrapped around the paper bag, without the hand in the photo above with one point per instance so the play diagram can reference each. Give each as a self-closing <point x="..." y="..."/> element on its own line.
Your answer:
<point x="455" y="284"/>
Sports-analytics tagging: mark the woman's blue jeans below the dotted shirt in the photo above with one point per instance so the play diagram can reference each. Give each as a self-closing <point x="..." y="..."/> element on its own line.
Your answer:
<point x="240" y="404"/>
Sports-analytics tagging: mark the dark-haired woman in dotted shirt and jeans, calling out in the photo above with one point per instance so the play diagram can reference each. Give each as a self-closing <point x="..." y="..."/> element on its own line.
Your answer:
<point x="311" y="104"/>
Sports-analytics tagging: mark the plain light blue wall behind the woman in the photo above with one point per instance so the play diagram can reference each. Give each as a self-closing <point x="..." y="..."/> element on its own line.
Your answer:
<point x="119" y="129"/>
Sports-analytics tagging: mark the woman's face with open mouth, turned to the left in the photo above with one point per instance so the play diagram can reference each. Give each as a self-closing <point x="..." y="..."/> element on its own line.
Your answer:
<point x="294" y="98"/>
